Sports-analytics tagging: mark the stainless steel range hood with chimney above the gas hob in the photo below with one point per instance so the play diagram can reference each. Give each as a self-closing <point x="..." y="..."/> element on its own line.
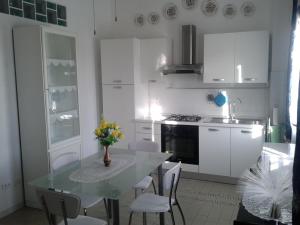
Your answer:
<point x="188" y="65"/>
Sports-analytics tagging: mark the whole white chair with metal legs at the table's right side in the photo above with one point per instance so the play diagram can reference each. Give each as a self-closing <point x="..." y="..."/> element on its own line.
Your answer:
<point x="152" y="203"/>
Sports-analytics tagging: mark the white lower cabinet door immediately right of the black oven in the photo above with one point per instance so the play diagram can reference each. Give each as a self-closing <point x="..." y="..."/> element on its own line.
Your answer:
<point x="214" y="150"/>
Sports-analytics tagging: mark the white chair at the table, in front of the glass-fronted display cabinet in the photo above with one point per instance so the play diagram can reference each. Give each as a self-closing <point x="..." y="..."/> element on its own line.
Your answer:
<point x="87" y="201"/>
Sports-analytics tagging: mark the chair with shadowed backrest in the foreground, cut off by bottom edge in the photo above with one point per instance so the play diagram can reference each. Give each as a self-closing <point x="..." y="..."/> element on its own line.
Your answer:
<point x="66" y="206"/>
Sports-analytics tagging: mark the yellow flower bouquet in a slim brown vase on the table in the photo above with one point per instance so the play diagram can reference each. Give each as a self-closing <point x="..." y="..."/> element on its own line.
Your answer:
<point x="108" y="134"/>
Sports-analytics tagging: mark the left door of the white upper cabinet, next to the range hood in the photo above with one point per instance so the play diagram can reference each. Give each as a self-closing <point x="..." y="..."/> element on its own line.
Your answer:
<point x="219" y="58"/>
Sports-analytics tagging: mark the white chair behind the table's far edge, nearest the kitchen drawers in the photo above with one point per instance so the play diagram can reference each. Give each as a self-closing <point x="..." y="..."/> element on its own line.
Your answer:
<point x="145" y="146"/>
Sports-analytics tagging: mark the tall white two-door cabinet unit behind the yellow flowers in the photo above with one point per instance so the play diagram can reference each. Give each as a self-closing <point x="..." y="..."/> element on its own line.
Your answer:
<point x="124" y="96"/>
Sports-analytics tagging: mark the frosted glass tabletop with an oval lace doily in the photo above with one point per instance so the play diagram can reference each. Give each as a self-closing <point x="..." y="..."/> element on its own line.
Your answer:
<point x="115" y="181"/>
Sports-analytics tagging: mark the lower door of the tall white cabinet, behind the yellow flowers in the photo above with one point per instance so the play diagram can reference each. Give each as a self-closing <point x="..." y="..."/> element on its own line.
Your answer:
<point x="118" y="106"/>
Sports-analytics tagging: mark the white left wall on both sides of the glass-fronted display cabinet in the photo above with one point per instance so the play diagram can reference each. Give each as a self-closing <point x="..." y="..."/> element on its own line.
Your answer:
<point x="80" y="21"/>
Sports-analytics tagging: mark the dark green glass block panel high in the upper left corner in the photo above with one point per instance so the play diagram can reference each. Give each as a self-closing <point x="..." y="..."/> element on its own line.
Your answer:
<point x="40" y="10"/>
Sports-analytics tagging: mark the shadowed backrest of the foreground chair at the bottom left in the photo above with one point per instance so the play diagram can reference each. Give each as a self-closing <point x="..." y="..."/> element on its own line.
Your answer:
<point x="59" y="204"/>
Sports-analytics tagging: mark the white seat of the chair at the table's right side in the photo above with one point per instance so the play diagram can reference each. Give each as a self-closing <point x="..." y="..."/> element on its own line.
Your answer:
<point x="151" y="203"/>
